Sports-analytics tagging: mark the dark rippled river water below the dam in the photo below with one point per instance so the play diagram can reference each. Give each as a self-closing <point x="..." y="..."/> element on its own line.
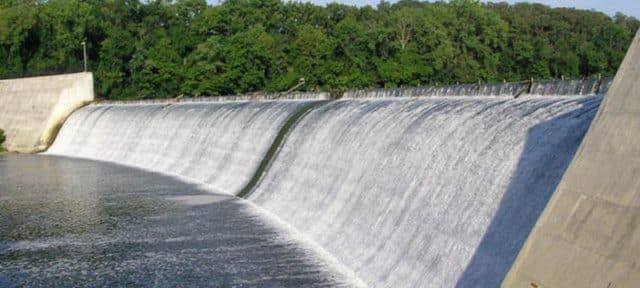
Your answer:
<point x="74" y="223"/>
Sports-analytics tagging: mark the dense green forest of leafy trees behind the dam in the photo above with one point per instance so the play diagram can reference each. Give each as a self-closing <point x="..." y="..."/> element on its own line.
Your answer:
<point x="153" y="49"/>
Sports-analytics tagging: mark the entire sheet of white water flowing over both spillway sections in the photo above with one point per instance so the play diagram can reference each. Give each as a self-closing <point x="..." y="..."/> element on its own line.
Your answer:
<point x="406" y="192"/>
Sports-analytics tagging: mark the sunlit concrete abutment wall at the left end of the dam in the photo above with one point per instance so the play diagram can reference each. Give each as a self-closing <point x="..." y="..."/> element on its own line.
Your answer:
<point x="32" y="109"/>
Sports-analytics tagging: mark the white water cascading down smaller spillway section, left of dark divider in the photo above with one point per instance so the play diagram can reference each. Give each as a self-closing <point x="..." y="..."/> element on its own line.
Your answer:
<point x="216" y="143"/>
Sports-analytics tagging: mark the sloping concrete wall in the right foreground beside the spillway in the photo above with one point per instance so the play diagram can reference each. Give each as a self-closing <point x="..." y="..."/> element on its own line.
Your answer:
<point x="589" y="234"/>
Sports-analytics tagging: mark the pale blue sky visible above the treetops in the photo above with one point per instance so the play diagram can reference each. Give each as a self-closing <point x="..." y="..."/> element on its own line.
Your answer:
<point x="628" y="7"/>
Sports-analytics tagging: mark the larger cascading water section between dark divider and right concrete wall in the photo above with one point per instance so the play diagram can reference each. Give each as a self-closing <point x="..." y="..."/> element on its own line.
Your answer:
<point x="427" y="192"/>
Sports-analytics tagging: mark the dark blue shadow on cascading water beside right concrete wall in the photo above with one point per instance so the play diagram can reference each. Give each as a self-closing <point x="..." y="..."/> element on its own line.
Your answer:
<point x="545" y="158"/>
